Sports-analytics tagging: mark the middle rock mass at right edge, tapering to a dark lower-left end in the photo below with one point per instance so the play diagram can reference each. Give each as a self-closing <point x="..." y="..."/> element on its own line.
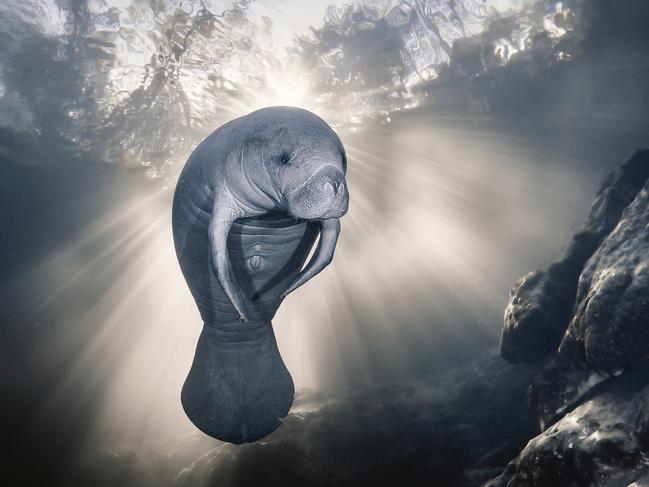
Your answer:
<point x="609" y="330"/>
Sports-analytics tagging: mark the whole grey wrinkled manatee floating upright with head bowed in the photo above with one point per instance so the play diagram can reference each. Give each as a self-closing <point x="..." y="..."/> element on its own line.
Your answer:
<point x="248" y="207"/>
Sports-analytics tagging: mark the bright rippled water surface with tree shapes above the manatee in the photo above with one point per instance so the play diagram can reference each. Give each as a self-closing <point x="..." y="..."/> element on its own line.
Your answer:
<point x="144" y="82"/>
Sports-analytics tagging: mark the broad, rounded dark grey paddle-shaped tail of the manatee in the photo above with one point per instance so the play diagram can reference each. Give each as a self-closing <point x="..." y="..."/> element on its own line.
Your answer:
<point x="238" y="389"/>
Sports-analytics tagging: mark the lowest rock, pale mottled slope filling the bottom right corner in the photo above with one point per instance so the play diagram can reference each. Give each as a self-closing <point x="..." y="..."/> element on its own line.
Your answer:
<point x="603" y="442"/>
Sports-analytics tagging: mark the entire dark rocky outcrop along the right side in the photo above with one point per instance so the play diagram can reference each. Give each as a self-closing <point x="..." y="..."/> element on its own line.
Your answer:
<point x="588" y="317"/>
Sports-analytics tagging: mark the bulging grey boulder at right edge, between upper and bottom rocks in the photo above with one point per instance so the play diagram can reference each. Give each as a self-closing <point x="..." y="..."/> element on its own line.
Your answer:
<point x="612" y="315"/>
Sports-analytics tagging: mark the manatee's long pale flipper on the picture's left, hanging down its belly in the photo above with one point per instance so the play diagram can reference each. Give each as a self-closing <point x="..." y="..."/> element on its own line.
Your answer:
<point x="223" y="215"/>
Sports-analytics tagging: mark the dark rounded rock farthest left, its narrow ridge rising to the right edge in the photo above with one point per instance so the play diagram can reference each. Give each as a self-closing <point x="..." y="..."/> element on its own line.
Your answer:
<point x="541" y="303"/>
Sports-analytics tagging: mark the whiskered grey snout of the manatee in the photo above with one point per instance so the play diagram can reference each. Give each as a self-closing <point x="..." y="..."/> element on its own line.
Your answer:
<point x="323" y="195"/>
